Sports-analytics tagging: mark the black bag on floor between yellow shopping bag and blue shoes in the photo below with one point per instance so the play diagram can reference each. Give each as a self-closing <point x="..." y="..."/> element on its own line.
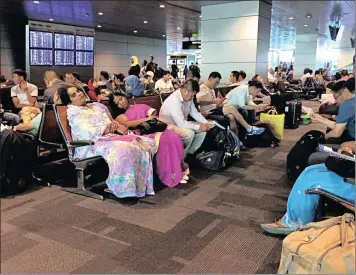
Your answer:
<point x="266" y="139"/>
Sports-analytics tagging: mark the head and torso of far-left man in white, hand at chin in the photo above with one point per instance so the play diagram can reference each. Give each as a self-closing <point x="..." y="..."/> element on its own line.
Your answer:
<point x="24" y="94"/>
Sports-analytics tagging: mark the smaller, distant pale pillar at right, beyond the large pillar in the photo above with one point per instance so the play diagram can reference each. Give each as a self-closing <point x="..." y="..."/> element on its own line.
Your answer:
<point x="310" y="52"/>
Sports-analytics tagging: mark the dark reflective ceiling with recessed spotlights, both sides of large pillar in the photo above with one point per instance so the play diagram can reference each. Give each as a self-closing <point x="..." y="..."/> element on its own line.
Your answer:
<point x="128" y="16"/>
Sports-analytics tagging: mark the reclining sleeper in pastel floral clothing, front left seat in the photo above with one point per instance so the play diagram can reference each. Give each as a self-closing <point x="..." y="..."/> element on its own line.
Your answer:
<point x="129" y="157"/>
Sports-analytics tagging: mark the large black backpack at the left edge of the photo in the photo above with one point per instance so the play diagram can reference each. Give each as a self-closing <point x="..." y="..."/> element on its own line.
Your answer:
<point x="17" y="157"/>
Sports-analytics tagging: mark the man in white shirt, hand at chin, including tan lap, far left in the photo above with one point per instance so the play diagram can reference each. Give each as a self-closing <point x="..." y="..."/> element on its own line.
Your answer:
<point x="24" y="96"/>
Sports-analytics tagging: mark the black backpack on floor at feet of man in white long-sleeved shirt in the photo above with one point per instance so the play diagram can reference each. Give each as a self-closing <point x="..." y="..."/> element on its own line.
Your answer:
<point x="219" y="149"/>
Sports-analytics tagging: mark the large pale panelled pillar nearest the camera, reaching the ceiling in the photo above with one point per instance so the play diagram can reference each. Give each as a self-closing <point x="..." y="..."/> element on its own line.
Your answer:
<point x="235" y="36"/>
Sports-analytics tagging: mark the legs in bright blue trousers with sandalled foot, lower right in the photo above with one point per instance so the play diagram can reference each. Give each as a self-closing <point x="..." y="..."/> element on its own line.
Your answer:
<point x="301" y="207"/>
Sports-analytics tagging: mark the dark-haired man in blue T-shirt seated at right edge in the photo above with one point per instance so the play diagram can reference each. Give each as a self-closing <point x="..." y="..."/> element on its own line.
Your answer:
<point x="346" y="115"/>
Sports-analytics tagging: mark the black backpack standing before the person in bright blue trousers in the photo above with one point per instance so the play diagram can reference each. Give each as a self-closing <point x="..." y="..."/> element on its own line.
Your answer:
<point x="297" y="159"/>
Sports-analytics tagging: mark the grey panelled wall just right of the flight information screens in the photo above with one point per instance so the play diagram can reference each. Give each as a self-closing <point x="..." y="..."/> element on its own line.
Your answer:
<point x="113" y="51"/>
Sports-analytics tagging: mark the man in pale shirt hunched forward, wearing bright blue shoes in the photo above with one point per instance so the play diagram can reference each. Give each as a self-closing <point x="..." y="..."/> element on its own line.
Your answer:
<point x="240" y="98"/>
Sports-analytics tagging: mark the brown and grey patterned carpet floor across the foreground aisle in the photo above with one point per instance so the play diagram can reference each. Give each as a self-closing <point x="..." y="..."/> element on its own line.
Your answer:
<point x="210" y="225"/>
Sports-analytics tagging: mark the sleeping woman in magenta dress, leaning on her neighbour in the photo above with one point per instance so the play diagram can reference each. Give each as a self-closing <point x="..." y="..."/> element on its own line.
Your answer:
<point x="170" y="155"/>
